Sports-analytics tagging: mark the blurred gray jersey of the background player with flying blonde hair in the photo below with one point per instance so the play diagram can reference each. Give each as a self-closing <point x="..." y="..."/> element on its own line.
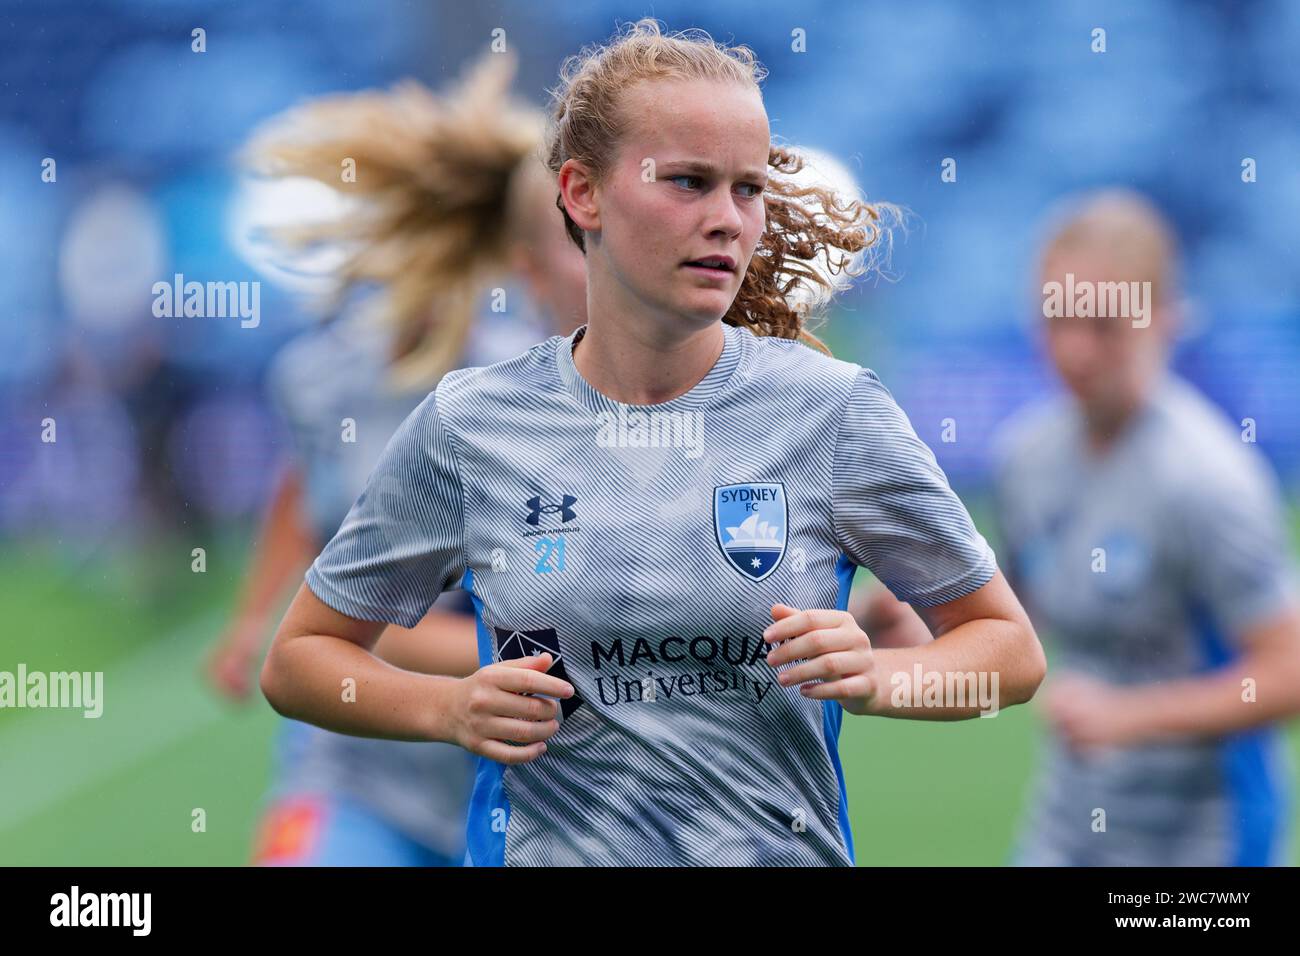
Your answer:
<point x="332" y="388"/>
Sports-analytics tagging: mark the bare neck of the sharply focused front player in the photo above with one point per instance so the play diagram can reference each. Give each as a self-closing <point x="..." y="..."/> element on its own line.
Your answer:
<point x="639" y="362"/>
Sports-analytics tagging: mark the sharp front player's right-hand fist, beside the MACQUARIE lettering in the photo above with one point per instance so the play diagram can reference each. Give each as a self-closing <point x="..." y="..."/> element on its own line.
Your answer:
<point x="830" y="647"/>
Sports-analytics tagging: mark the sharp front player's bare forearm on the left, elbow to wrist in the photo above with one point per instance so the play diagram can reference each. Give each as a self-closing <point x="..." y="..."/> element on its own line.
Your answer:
<point x="336" y="685"/>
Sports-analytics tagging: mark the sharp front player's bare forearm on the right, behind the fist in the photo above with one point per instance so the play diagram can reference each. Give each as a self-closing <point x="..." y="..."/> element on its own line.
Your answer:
<point x="978" y="668"/>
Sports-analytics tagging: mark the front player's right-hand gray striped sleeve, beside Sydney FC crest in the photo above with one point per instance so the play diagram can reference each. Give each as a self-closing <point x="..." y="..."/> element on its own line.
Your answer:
<point x="895" y="512"/>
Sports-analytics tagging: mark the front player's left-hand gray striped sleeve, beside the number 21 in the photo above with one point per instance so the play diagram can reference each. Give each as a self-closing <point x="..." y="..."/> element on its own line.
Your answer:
<point x="402" y="543"/>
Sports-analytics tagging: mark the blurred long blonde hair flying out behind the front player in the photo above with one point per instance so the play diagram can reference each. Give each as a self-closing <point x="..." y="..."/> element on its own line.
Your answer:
<point x="439" y="200"/>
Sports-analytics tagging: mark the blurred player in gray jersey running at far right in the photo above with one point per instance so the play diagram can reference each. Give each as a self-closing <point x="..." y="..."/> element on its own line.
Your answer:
<point x="1150" y="540"/>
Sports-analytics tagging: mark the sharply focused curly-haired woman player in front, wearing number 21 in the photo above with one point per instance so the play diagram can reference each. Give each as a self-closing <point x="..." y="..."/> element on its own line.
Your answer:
<point x="688" y="624"/>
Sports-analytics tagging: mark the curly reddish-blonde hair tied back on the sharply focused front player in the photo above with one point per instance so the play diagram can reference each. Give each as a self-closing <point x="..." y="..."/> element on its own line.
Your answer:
<point x="804" y="223"/>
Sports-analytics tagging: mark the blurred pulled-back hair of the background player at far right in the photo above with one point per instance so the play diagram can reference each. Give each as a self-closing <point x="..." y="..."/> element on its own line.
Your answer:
<point x="1126" y="230"/>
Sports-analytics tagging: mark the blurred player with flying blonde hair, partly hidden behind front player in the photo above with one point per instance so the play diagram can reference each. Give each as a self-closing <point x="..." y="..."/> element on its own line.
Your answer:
<point x="344" y="390"/>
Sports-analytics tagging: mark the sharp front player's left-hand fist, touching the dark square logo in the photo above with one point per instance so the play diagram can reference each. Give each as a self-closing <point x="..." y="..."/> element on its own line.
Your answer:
<point x="495" y="716"/>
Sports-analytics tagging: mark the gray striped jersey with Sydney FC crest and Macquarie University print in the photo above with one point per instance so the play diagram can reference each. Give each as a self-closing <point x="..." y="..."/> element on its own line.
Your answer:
<point x="644" y="547"/>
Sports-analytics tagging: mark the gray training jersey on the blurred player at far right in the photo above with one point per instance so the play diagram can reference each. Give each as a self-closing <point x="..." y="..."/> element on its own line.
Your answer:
<point x="1193" y="533"/>
